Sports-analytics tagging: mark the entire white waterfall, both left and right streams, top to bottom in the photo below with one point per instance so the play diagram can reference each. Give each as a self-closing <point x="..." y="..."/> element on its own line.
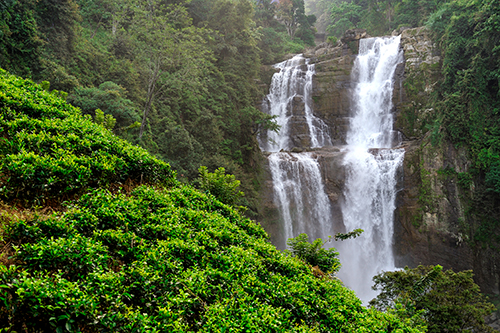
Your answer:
<point x="371" y="163"/>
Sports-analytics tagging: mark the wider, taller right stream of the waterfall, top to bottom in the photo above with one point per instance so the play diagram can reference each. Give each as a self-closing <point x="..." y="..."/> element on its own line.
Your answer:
<point x="371" y="166"/>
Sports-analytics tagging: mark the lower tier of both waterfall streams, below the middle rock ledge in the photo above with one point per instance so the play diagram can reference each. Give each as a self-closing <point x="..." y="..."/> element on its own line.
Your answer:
<point x="308" y="213"/>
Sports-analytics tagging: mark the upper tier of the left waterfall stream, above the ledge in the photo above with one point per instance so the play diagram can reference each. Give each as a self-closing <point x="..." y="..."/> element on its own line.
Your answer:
<point x="290" y="100"/>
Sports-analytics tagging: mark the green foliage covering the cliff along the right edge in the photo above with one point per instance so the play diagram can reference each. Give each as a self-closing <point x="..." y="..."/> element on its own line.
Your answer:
<point x="469" y="106"/>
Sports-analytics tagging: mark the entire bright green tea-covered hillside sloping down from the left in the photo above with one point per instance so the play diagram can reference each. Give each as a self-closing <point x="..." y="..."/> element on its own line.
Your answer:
<point x="96" y="235"/>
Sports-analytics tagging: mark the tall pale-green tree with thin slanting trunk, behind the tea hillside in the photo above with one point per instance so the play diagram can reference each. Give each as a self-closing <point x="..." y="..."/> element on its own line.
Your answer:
<point x="171" y="48"/>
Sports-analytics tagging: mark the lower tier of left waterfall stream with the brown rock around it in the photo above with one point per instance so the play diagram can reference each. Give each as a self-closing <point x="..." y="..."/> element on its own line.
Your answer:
<point x="307" y="215"/>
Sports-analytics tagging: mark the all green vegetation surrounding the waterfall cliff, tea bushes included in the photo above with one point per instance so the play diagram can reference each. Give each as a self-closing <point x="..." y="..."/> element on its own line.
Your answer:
<point x="109" y="111"/>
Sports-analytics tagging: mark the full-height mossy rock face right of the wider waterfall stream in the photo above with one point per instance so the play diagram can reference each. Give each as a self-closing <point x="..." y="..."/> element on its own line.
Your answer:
<point x="431" y="223"/>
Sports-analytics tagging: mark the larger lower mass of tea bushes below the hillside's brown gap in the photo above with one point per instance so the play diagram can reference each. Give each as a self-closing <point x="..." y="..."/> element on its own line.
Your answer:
<point x="164" y="260"/>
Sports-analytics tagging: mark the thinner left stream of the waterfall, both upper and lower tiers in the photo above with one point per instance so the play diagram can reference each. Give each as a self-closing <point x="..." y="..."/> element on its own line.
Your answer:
<point x="297" y="183"/>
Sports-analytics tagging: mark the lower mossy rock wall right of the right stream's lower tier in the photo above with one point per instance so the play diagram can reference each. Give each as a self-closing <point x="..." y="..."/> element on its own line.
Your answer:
<point x="429" y="216"/>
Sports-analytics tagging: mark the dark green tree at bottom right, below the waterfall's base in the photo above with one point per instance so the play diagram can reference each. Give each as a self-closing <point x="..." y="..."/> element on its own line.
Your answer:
<point x="448" y="301"/>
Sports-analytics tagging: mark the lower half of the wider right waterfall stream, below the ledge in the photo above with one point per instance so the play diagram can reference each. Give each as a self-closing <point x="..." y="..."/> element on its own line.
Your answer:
<point x="370" y="200"/>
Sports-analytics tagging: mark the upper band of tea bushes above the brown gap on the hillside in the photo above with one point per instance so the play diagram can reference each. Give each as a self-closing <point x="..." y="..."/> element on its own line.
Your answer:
<point x="49" y="151"/>
